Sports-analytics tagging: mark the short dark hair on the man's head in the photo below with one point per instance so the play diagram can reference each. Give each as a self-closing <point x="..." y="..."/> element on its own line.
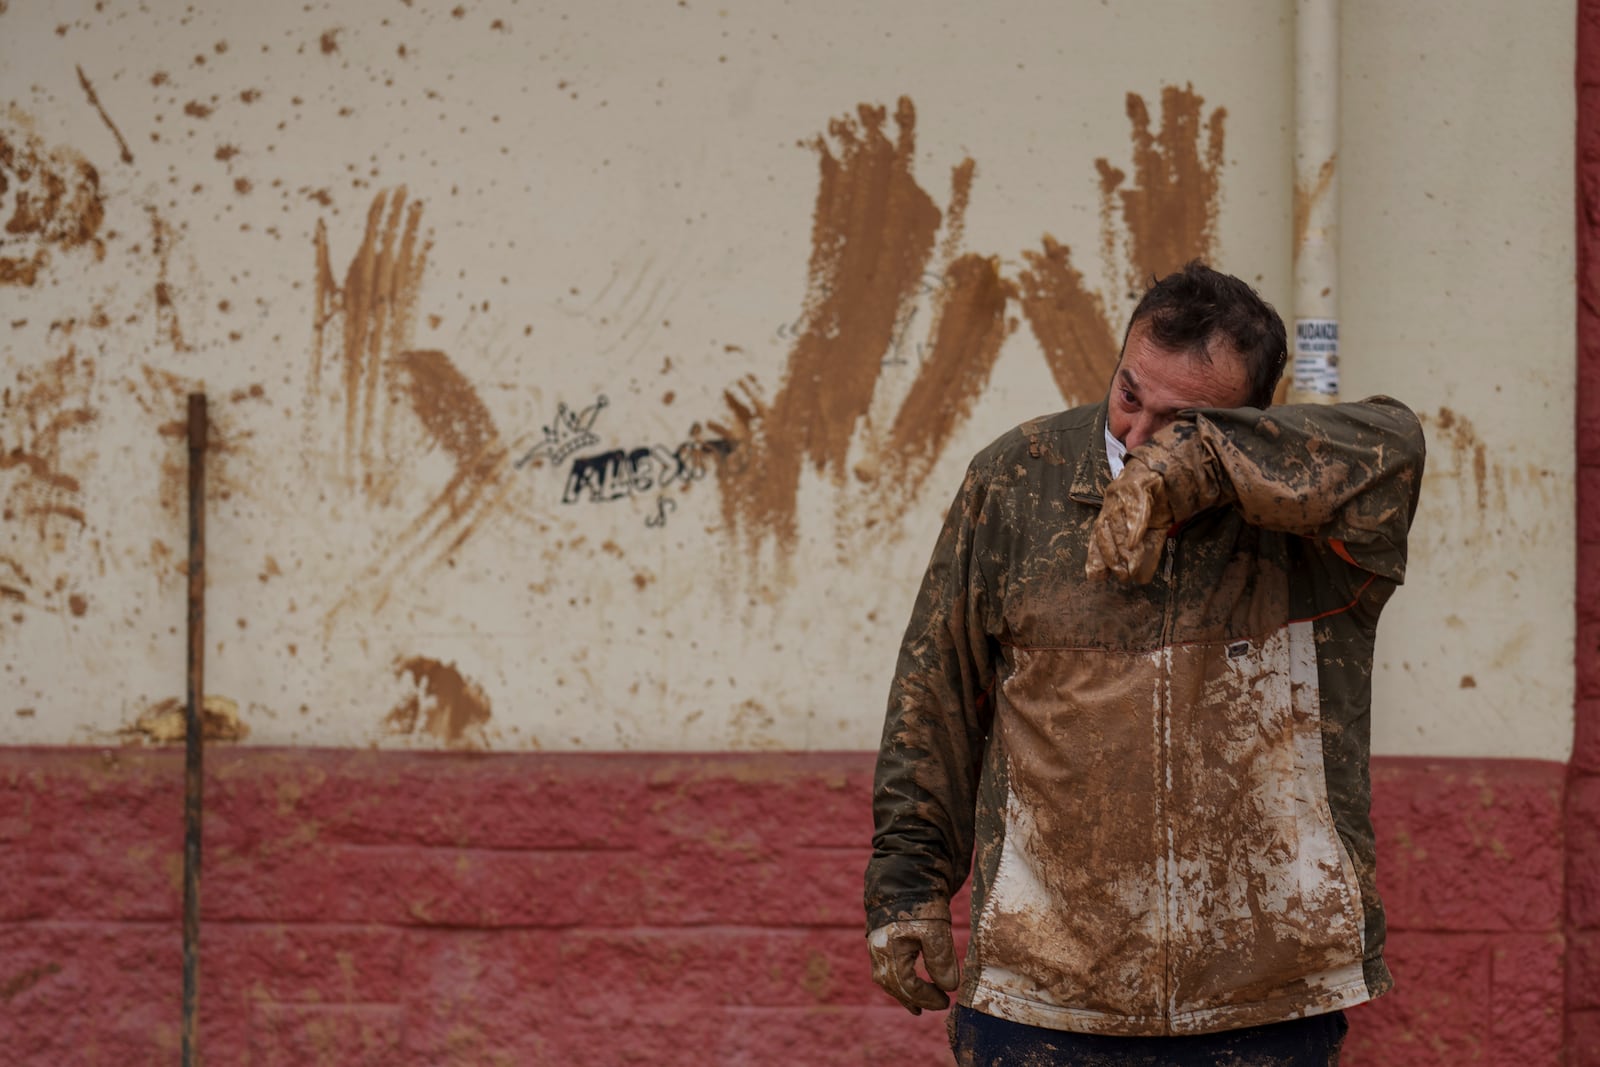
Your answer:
<point x="1193" y="308"/>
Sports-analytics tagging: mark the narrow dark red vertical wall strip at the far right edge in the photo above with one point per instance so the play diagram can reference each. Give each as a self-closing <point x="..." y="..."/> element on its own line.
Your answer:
<point x="1583" y="801"/>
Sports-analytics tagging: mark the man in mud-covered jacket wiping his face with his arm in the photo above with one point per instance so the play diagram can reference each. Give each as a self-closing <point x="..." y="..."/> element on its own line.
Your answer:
<point x="1138" y="684"/>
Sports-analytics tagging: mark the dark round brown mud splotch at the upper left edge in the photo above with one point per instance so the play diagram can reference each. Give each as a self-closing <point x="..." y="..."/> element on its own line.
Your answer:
<point x="49" y="199"/>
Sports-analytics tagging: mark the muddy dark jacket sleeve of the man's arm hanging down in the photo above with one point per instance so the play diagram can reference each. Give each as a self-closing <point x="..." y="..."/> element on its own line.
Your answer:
<point x="935" y="730"/>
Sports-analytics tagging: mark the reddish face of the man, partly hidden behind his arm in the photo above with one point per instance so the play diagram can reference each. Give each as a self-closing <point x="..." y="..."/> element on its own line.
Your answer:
<point x="1153" y="385"/>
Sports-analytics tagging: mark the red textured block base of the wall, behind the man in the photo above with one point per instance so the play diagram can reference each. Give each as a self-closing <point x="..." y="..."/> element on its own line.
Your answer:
<point x="522" y="909"/>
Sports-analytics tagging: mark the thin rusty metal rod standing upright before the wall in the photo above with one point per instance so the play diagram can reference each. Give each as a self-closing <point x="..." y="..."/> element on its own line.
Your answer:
<point x="194" y="730"/>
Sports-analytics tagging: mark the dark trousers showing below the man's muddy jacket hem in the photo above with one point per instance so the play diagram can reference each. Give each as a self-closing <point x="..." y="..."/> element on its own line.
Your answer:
<point x="982" y="1041"/>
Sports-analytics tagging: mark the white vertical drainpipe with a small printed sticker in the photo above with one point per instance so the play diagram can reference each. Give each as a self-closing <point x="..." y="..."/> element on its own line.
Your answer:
<point x="1316" y="334"/>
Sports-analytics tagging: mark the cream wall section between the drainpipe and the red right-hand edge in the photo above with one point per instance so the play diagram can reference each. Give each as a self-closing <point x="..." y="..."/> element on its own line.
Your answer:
<point x="1458" y="297"/>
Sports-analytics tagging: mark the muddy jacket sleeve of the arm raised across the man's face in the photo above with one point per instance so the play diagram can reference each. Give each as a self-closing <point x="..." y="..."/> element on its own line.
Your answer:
<point x="1346" y="476"/>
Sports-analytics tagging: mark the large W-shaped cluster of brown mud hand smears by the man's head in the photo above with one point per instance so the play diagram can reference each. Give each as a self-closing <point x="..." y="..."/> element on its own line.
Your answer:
<point x="873" y="241"/>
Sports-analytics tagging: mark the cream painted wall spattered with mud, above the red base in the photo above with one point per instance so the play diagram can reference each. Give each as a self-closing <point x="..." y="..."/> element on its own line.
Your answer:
<point x="620" y="206"/>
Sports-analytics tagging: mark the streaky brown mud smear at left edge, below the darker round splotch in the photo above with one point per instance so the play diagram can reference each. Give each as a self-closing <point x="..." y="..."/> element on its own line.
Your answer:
<point x="38" y="415"/>
